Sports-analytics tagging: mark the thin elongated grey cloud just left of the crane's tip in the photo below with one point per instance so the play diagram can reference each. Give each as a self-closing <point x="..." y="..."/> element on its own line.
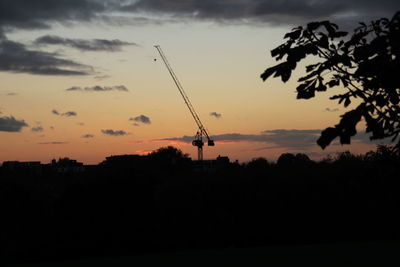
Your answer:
<point x="84" y="45"/>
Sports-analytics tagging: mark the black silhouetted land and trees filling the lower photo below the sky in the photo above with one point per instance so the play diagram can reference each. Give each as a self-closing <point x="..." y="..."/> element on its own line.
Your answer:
<point x="161" y="210"/>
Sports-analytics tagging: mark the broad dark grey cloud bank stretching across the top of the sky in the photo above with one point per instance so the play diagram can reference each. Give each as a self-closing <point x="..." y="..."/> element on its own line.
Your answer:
<point x="24" y="15"/>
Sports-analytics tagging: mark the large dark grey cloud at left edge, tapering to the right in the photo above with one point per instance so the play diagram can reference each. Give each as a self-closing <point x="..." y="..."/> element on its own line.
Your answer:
<point x="15" y="57"/>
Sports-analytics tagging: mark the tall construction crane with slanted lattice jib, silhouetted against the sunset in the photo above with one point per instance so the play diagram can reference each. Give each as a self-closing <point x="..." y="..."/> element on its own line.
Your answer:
<point x="201" y="132"/>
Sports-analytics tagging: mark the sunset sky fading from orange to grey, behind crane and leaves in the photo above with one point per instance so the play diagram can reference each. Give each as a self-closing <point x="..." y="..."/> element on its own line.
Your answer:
<point x="82" y="79"/>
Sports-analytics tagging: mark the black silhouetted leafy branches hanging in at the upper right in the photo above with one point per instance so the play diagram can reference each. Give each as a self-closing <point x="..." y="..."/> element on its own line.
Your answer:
<point x="366" y="64"/>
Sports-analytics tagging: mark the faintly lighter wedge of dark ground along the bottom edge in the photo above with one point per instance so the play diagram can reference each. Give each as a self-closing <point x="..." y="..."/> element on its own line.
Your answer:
<point x="341" y="254"/>
